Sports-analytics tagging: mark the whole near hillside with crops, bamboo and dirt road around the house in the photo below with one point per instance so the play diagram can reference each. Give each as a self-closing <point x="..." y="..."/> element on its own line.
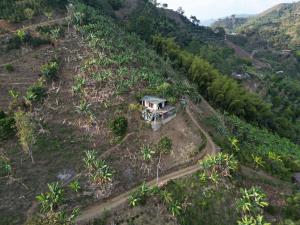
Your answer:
<point x="75" y="146"/>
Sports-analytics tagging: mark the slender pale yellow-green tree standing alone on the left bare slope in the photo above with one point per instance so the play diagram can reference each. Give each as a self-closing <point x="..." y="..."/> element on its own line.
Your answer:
<point x="26" y="132"/>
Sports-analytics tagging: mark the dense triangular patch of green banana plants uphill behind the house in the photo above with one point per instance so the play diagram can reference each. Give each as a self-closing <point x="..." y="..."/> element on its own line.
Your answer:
<point x="139" y="69"/>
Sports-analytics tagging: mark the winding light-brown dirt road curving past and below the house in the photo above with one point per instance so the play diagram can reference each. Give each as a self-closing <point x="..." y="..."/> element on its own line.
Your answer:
<point x="96" y="210"/>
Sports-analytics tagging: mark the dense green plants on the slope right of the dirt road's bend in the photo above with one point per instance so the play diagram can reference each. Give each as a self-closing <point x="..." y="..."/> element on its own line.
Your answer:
<point x="260" y="148"/>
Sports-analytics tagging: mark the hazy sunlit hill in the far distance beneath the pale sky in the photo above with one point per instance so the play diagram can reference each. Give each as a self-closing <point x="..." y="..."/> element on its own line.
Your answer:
<point x="277" y="27"/>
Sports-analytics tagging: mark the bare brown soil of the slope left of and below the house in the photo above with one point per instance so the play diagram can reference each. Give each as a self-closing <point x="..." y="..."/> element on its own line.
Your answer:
<point x="64" y="135"/>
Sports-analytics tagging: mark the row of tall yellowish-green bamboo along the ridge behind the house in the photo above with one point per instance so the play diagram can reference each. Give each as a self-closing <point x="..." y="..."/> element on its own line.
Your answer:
<point x="222" y="91"/>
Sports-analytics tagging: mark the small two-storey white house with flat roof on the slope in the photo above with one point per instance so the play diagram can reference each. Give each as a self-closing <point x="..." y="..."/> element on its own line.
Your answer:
<point x="157" y="111"/>
